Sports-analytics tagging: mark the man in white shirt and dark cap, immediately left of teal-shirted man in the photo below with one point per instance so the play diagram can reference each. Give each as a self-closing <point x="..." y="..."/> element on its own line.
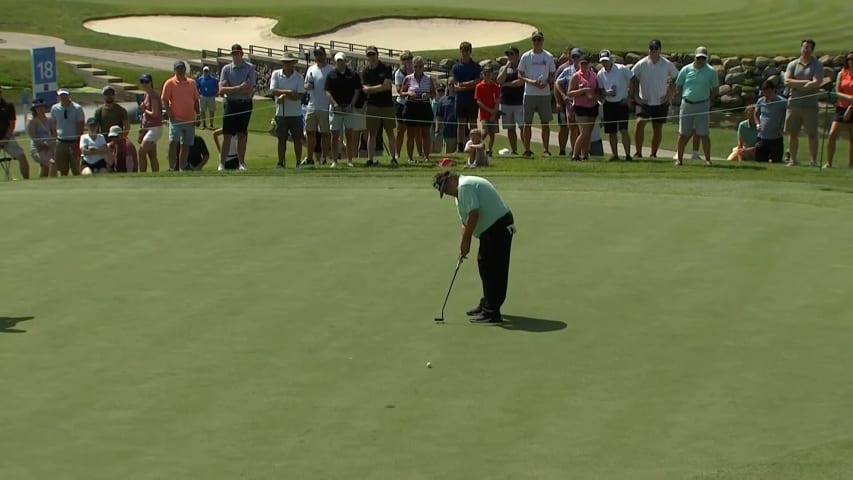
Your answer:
<point x="652" y="88"/>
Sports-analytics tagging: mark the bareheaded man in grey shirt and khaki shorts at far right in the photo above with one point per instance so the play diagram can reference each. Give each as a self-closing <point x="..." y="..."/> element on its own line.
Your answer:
<point x="803" y="77"/>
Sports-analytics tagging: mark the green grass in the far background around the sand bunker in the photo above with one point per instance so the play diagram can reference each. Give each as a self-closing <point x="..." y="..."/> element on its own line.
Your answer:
<point x="720" y="25"/>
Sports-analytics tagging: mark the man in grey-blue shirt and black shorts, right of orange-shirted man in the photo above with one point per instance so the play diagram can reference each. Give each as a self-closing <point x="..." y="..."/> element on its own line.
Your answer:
<point x="236" y="84"/>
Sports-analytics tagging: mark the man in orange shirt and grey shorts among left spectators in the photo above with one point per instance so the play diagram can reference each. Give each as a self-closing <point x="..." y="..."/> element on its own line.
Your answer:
<point x="181" y="100"/>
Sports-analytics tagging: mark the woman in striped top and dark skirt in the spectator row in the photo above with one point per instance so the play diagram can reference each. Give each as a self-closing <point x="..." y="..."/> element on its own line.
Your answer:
<point x="418" y="90"/>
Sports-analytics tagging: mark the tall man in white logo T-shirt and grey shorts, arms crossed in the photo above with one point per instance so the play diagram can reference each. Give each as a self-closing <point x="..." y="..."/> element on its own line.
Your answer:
<point x="537" y="69"/>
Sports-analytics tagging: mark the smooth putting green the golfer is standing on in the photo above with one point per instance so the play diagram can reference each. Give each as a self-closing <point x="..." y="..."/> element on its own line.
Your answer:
<point x="278" y="327"/>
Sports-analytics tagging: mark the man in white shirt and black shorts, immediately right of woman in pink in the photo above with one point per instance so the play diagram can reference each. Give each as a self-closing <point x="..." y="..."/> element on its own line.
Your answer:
<point x="614" y="80"/>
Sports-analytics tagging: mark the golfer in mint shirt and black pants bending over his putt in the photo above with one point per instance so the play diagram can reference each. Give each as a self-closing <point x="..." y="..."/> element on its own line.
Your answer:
<point x="485" y="216"/>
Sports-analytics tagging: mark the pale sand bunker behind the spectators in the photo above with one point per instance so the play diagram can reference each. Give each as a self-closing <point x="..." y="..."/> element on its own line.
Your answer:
<point x="196" y="33"/>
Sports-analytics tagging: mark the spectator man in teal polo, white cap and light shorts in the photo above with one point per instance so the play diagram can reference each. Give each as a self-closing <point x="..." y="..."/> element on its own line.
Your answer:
<point x="697" y="83"/>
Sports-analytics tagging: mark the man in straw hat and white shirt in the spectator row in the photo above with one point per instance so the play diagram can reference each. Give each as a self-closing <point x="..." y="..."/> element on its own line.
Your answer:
<point x="288" y="87"/>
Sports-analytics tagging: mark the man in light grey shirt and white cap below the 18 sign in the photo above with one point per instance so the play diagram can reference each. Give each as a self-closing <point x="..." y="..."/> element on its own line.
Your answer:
<point x="68" y="121"/>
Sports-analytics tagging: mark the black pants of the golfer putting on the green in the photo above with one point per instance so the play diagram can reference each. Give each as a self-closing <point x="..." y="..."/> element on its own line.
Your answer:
<point x="493" y="262"/>
